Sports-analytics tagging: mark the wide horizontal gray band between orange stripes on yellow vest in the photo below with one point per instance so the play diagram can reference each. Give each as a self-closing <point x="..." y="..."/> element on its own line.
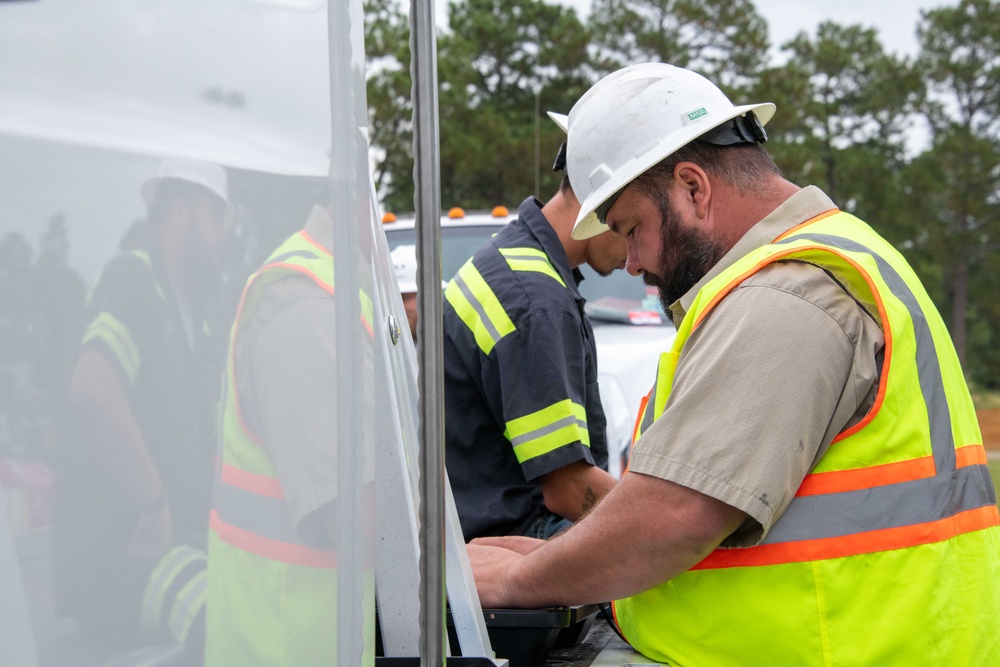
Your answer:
<point x="891" y="506"/>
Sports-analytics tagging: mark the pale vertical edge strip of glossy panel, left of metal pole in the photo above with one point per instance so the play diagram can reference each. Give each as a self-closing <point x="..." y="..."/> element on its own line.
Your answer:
<point x="350" y="197"/>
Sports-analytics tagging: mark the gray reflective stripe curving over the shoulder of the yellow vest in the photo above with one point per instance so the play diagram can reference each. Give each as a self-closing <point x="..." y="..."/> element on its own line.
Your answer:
<point x="928" y="365"/>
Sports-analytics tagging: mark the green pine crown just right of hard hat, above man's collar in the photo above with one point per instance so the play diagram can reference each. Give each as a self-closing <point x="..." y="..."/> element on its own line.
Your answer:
<point x="844" y="107"/>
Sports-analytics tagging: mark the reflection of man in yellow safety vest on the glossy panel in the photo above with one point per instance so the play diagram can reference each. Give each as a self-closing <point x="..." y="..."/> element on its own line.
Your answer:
<point x="272" y="593"/>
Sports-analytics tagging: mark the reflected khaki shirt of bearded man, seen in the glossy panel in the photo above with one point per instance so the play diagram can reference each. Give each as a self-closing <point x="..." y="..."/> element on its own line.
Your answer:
<point x="286" y="377"/>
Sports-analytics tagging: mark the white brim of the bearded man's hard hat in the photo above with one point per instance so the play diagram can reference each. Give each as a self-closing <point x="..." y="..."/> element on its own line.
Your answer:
<point x="587" y="225"/>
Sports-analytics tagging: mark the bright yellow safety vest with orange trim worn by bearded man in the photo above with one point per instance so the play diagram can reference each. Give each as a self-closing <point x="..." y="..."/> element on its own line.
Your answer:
<point x="889" y="553"/>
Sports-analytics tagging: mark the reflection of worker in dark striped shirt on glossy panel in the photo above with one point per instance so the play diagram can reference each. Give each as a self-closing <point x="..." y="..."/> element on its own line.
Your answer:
<point x="134" y="494"/>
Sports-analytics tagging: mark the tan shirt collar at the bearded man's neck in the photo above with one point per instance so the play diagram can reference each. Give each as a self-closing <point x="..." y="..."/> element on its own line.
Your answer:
<point x="805" y="204"/>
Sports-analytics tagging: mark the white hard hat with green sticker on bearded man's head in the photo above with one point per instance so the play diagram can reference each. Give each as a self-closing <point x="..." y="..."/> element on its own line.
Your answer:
<point x="632" y="119"/>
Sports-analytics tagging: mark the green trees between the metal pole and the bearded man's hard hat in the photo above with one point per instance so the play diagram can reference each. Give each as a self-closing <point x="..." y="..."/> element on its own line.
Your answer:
<point x="501" y="67"/>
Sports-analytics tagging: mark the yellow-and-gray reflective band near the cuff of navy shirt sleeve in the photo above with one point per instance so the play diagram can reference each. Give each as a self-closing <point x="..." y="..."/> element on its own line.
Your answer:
<point x="548" y="429"/>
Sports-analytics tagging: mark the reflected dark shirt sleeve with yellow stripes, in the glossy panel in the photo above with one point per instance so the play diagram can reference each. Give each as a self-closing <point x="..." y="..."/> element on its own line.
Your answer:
<point x="117" y="303"/>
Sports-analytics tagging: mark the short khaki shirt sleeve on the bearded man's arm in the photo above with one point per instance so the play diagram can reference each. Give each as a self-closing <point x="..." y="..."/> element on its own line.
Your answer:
<point x="784" y="363"/>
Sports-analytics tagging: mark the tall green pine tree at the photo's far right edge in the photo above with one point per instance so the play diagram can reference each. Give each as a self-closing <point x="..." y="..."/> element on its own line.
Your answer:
<point x="958" y="178"/>
